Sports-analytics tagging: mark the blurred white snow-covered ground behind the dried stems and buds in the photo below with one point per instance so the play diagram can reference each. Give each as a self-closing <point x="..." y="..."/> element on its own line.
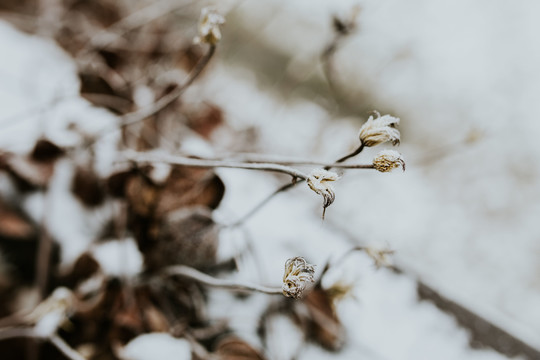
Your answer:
<point x="462" y="217"/>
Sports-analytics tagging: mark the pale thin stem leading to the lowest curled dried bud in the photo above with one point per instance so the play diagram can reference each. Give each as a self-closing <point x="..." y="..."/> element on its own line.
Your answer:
<point x="191" y="273"/>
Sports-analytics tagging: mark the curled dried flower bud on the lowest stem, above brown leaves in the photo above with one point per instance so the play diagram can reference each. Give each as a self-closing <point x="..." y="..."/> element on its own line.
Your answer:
<point x="297" y="277"/>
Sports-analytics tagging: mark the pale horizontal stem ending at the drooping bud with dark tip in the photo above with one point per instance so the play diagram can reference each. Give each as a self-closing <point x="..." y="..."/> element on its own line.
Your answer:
<point x="140" y="157"/>
